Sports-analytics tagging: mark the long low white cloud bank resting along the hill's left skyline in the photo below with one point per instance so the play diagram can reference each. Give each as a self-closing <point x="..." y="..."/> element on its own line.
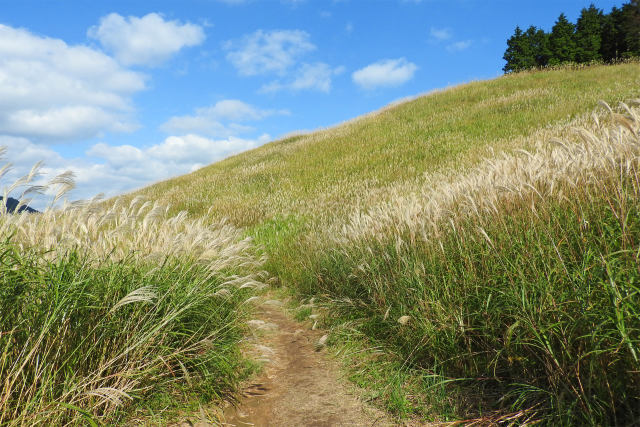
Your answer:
<point x="116" y="169"/>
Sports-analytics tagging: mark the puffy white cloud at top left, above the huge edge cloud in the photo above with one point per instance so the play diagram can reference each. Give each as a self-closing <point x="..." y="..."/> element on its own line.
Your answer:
<point x="149" y="40"/>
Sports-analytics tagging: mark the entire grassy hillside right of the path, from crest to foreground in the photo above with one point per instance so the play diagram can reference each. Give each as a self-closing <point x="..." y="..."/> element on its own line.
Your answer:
<point x="481" y="269"/>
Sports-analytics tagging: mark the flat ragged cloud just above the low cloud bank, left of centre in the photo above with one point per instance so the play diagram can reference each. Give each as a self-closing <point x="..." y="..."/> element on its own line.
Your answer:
<point x="210" y="120"/>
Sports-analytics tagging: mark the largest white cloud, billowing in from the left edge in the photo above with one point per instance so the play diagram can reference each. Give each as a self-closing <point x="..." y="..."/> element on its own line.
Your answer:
<point x="50" y="91"/>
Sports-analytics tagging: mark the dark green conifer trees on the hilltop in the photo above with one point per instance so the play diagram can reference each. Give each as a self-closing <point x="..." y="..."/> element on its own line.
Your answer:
<point x="595" y="36"/>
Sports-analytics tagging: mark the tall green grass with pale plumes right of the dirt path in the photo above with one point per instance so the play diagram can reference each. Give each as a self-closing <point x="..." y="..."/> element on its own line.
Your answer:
<point x="517" y="284"/>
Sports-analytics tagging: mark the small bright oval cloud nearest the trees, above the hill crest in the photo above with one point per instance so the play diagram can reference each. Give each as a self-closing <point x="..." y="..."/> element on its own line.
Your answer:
<point x="385" y="73"/>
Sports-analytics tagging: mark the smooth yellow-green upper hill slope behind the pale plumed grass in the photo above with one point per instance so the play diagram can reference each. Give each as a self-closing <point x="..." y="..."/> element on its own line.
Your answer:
<point x="331" y="170"/>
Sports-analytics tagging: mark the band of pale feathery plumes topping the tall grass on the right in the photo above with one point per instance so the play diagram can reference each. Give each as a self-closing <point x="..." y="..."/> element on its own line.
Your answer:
<point x="555" y="167"/>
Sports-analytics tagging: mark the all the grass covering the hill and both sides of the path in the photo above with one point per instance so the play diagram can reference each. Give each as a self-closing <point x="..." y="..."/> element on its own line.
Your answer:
<point x="475" y="256"/>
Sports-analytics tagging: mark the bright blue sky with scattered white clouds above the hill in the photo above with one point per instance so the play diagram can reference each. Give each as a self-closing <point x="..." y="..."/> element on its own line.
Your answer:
<point x="125" y="93"/>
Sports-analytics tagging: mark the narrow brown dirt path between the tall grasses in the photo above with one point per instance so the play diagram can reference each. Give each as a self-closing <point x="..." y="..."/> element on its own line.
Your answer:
<point x="299" y="385"/>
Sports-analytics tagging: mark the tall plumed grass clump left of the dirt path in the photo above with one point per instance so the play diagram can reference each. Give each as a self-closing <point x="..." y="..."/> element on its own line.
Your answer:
<point x="102" y="306"/>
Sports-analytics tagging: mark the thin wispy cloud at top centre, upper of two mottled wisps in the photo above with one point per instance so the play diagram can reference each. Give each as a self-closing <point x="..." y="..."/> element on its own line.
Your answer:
<point x="268" y="52"/>
